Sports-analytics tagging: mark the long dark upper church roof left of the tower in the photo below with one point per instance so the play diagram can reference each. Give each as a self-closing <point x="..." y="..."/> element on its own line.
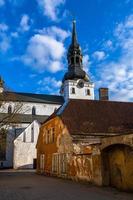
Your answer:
<point x="29" y="97"/>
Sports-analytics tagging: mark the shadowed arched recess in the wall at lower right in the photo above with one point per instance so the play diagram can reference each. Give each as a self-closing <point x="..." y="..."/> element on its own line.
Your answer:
<point x="117" y="162"/>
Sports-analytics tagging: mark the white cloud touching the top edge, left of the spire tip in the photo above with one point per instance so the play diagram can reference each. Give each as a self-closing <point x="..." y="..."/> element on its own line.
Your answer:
<point x="51" y="8"/>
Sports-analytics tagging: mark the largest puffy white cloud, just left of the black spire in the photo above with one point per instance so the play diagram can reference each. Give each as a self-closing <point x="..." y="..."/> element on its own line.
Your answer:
<point x="45" y="52"/>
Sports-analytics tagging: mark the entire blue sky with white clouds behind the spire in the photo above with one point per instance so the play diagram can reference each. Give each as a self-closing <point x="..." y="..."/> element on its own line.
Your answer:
<point x="35" y="35"/>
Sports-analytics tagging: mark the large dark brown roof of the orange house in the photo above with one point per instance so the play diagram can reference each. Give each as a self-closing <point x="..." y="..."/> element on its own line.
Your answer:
<point x="94" y="117"/>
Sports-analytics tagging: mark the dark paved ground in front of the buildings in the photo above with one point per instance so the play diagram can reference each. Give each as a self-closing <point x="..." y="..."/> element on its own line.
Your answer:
<point x="30" y="186"/>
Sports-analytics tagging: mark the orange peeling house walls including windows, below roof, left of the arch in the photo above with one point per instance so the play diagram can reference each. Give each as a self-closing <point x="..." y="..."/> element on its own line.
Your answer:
<point x="59" y="156"/>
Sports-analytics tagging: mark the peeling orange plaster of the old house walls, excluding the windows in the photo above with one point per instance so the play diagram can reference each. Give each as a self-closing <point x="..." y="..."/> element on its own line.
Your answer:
<point x="79" y="160"/>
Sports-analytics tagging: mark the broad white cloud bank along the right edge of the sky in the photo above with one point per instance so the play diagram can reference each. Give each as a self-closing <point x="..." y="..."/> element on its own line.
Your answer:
<point x="118" y="75"/>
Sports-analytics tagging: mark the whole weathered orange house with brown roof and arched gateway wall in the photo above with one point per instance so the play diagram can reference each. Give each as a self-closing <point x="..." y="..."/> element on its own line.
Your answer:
<point x="89" y="141"/>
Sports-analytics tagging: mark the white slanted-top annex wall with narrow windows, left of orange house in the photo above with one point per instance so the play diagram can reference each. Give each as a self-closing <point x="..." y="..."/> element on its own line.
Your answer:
<point x="25" y="146"/>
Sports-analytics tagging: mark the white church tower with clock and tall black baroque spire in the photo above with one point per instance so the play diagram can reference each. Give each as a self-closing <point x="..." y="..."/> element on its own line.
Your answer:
<point x="76" y="83"/>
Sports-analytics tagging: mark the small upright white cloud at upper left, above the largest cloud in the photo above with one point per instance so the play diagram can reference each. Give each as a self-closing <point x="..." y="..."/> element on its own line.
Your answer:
<point x="24" y="23"/>
